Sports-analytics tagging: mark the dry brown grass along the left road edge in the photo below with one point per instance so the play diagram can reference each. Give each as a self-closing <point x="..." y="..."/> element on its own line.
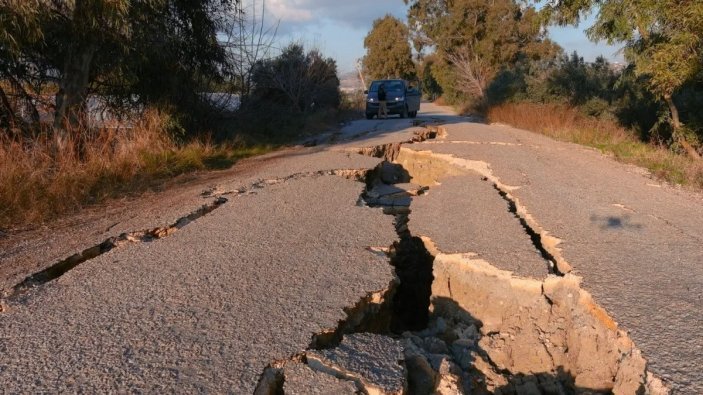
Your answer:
<point x="40" y="180"/>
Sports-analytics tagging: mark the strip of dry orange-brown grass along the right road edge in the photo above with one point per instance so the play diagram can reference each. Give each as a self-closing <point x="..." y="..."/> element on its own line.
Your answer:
<point x="568" y="124"/>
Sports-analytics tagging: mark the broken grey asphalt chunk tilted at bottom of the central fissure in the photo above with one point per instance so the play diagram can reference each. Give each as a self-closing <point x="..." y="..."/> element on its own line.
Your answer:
<point x="373" y="362"/>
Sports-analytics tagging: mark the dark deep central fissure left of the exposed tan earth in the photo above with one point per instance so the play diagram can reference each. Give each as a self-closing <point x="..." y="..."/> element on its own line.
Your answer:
<point x="404" y="305"/>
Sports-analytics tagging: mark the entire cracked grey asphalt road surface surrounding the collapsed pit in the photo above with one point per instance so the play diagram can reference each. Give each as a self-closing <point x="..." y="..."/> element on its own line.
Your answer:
<point x="207" y="308"/>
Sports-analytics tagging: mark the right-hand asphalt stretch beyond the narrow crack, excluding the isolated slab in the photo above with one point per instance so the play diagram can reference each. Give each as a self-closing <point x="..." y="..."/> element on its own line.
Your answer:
<point x="636" y="242"/>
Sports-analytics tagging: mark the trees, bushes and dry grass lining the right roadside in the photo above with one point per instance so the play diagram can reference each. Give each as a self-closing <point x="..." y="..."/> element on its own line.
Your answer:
<point x="647" y="112"/>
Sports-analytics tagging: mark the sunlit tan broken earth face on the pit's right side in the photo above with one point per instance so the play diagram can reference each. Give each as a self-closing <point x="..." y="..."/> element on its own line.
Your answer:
<point x="533" y="327"/>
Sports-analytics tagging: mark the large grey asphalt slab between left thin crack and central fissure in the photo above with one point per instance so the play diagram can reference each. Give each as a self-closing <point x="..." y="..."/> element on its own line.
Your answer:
<point x="206" y="309"/>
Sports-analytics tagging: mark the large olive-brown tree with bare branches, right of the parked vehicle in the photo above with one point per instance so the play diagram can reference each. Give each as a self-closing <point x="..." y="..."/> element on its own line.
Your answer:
<point x="475" y="39"/>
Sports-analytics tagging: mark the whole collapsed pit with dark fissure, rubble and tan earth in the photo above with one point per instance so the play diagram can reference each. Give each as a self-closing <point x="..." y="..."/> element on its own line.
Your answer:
<point x="455" y="323"/>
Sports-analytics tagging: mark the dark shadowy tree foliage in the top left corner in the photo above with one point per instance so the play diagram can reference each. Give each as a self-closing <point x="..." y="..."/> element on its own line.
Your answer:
<point x="134" y="52"/>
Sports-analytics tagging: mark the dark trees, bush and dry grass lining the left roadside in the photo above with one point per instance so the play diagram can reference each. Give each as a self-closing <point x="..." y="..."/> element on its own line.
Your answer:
<point x="103" y="99"/>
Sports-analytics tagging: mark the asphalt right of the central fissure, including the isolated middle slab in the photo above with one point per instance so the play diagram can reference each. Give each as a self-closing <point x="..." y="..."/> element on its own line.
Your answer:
<point x="637" y="242"/>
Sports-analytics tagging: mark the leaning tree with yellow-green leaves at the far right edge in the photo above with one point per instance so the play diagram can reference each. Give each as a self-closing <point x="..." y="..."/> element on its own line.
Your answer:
<point x="663" y="39"/>
